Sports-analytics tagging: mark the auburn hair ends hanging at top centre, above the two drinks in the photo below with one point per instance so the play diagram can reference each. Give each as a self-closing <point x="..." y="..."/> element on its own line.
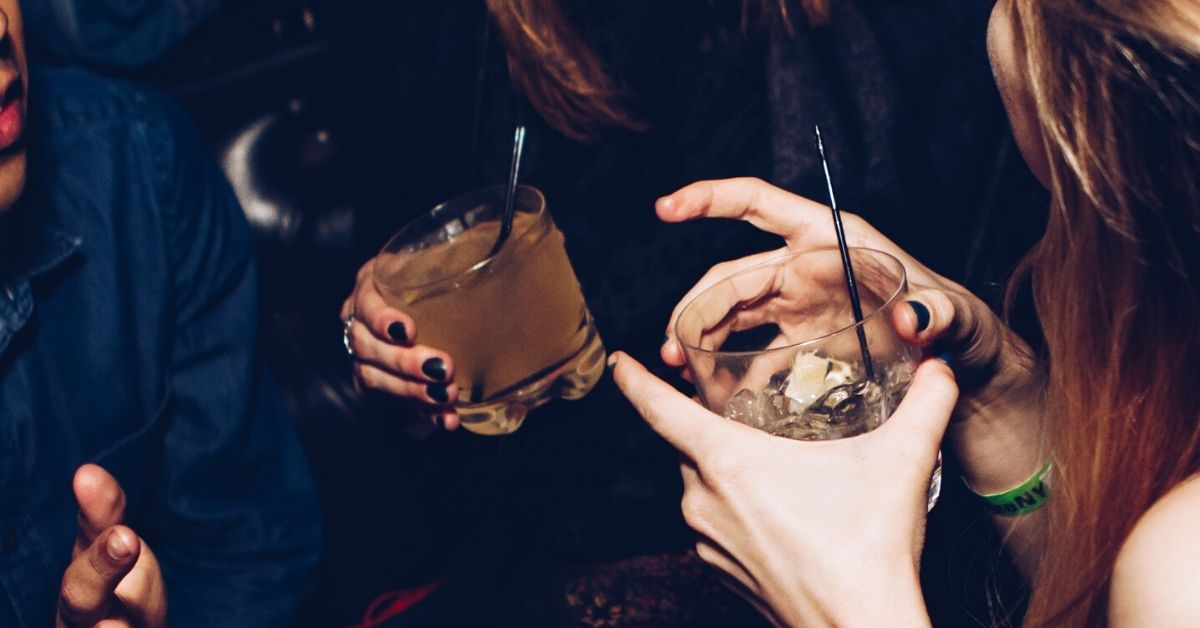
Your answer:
<point x="566" y="82"/>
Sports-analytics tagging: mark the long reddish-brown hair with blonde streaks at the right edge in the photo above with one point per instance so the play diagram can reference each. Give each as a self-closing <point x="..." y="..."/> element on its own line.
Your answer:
<point x="1117" y="85"/>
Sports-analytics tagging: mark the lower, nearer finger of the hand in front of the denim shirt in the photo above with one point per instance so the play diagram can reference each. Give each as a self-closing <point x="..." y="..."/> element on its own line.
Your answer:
<point x="91" y="581"/>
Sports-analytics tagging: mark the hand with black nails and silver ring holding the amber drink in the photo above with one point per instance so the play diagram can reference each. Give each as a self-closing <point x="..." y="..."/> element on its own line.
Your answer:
<point x="387" y="360"/>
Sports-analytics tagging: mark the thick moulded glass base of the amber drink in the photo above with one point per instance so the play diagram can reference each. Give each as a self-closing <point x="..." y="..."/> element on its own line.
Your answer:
<point x="573" y="380"/>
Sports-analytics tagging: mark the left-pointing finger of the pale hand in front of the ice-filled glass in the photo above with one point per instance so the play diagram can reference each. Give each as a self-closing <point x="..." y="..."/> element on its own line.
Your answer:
<point x="683" y="423"/>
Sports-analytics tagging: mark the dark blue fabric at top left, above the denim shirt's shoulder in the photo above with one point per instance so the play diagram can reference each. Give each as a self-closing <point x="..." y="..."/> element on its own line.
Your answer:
<point x="113" y="34"/>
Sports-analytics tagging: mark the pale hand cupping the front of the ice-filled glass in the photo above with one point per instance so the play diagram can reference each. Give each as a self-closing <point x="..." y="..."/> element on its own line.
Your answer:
<point x="813" y="533"/>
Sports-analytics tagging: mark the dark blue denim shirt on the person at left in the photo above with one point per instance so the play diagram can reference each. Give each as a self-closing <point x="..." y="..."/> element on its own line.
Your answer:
<point x="128" y="338"/>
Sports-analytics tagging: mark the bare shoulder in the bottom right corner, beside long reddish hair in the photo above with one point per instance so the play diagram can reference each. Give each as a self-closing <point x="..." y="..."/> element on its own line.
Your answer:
<point x="1157" y="576"/>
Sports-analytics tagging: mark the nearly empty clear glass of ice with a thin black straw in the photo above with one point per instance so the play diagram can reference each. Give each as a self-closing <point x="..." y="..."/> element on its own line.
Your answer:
<point x="776" y="346"/>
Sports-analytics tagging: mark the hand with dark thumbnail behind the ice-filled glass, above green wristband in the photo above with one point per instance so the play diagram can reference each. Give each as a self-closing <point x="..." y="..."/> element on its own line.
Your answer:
<point x="995" y="369"/>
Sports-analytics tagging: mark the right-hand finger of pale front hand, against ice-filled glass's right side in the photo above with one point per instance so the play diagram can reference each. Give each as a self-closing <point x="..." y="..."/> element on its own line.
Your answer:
<point x="927" y="408"/>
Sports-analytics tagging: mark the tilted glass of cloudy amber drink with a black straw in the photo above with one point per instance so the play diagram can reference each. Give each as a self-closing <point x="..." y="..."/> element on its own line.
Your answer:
<point x="515" y="325"/>
